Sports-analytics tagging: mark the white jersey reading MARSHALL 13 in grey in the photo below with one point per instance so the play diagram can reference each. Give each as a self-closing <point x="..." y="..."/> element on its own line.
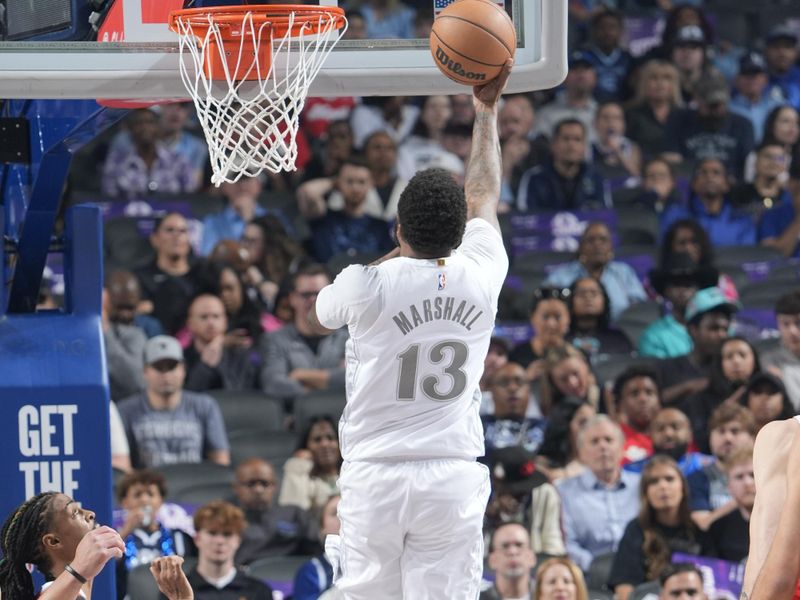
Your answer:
<point x="419" y="333"/>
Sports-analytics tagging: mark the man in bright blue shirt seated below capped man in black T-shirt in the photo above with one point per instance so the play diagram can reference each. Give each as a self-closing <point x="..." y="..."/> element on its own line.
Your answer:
<point x="709" y="206"/>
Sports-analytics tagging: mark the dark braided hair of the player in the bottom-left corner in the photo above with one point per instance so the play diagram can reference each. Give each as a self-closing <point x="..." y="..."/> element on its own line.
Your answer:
<point x="21" y="544"/>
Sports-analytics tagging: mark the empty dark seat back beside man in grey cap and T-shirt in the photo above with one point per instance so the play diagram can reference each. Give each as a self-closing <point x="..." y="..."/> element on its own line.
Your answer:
<point x="248" y="410"/>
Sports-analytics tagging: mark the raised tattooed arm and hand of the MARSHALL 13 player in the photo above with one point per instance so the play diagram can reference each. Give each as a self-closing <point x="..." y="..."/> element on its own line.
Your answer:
<point x="484" y="172"/>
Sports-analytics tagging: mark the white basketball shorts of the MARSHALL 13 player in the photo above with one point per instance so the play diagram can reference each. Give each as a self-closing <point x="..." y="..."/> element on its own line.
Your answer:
<point x="410" y="530"/>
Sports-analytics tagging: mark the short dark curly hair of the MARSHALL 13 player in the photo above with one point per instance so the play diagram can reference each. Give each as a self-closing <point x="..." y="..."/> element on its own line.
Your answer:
<point x="432" y="213"/>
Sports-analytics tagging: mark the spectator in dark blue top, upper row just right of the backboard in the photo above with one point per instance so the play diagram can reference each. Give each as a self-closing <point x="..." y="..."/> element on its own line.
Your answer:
<point x="608" y="55"/>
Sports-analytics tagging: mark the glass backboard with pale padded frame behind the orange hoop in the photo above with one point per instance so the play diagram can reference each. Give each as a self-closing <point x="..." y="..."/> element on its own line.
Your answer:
<point x="136" y="56"/>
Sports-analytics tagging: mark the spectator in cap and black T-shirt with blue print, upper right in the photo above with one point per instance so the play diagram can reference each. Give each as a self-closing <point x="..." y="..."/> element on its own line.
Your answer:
<point x="711" y="131"/>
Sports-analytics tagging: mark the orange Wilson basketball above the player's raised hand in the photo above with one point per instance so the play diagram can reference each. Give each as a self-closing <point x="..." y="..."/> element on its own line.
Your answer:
<point x="471" y="40"/>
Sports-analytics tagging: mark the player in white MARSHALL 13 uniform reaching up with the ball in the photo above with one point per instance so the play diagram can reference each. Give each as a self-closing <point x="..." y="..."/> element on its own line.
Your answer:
<point x="420" y="320"/>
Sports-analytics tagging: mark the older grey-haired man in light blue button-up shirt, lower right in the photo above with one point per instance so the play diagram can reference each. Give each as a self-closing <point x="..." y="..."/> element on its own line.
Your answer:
<point x="598" y="503"/>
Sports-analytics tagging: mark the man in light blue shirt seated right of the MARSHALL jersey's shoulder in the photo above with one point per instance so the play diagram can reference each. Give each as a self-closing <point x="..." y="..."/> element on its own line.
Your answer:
<point x="596" y="259"/>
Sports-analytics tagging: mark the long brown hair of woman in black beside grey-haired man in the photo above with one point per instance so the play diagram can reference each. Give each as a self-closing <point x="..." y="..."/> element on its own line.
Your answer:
<point x="655" y="547"/>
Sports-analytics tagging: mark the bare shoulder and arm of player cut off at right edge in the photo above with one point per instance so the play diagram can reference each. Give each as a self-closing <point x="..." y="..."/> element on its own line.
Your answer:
<point x="773" y="564"/>
